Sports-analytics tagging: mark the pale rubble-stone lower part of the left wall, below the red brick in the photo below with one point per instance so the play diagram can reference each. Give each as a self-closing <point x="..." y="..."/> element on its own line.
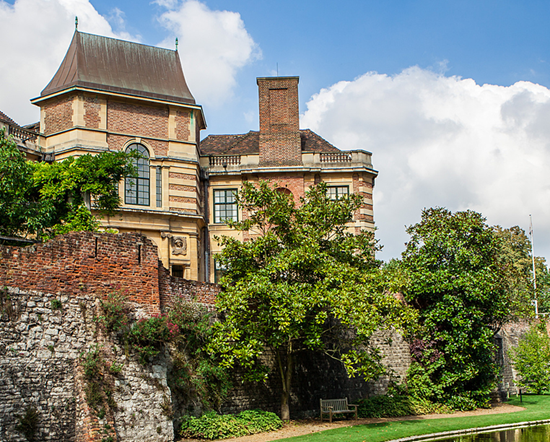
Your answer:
<point x="41" y="368"/>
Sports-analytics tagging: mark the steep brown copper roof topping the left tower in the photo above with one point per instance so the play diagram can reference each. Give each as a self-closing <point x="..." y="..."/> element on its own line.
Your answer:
<point x="111" y="65"/>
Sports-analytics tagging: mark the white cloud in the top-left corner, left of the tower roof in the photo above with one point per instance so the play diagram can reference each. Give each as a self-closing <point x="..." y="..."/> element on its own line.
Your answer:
<point x="37" y="34"/>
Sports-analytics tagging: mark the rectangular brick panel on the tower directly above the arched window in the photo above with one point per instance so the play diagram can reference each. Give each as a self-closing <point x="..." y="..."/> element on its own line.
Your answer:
<point x="134" y="119"/>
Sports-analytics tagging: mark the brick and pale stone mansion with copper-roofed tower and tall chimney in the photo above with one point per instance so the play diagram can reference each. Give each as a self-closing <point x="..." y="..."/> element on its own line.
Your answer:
<point x="110" y="94"/>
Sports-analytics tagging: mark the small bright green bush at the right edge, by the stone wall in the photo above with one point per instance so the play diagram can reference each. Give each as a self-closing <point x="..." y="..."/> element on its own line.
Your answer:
<point x="531" y="359"/>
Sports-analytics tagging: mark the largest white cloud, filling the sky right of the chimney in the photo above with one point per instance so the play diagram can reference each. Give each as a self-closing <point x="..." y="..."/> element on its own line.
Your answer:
<point x="444" y="141"/>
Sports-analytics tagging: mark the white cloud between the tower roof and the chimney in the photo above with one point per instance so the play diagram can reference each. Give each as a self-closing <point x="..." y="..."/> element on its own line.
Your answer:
<point x="213" y="46"/>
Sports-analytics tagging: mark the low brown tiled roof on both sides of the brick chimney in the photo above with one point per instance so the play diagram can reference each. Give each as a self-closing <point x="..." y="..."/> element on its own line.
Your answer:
<point x="249" y="143"/>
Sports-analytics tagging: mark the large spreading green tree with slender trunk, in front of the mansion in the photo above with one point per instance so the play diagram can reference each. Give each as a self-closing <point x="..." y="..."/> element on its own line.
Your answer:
<point x="299" y="281"/>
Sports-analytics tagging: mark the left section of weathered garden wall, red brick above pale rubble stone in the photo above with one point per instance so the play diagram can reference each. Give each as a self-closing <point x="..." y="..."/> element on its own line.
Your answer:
<point x="40" y="345"/>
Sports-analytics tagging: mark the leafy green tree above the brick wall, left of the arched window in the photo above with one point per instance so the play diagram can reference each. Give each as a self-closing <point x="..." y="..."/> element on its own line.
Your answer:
<point x="46" y="199"/>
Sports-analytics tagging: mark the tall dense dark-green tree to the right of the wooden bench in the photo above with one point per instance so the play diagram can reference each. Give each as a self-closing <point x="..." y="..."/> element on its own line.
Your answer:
<point x="457" y="284"/>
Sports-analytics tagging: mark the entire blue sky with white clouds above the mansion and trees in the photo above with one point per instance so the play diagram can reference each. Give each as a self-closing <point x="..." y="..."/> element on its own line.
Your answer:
<point x="451" y="97"/>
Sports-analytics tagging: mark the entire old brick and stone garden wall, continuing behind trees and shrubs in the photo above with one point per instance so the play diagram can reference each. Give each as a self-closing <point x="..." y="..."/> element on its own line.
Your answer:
<point x="41" y="343"/>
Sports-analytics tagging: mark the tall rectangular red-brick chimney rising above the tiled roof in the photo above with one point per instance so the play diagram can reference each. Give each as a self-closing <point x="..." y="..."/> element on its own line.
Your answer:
<point x="279" y="121"/>
